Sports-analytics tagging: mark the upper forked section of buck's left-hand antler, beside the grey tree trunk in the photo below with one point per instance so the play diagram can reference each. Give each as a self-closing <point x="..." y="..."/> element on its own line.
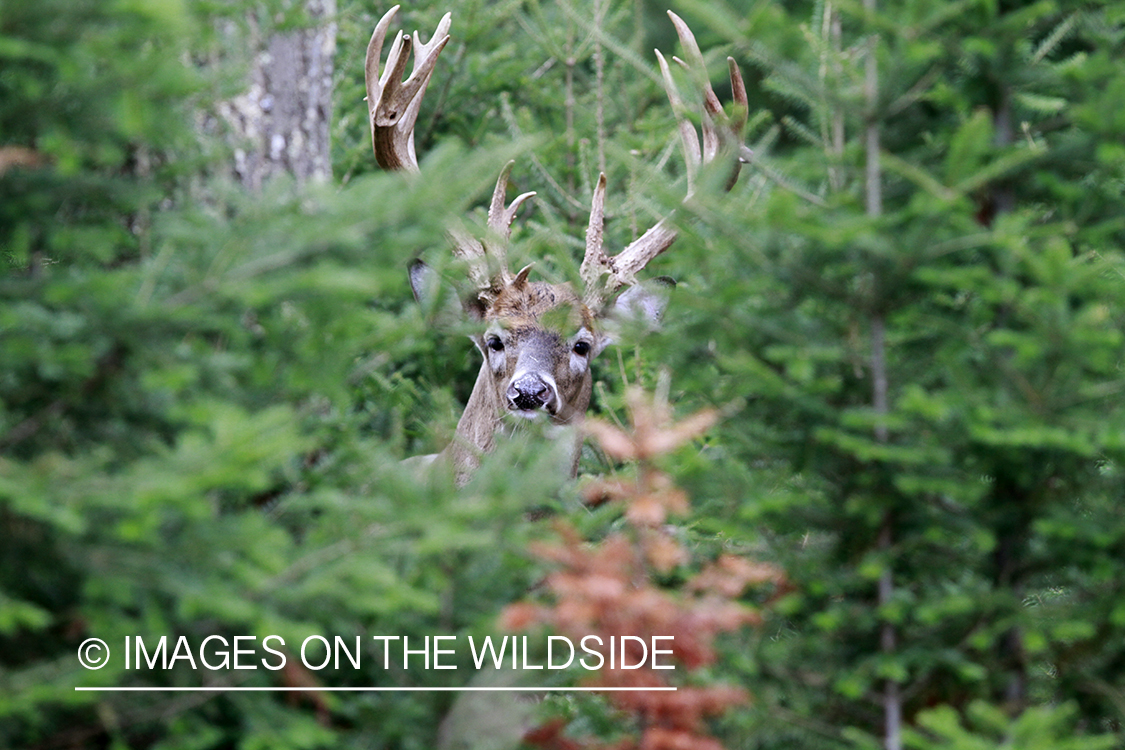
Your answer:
<point x="393" y="104"/>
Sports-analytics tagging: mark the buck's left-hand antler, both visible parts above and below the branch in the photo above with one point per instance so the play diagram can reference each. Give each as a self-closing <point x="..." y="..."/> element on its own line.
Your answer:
<point x="393" y="110"/>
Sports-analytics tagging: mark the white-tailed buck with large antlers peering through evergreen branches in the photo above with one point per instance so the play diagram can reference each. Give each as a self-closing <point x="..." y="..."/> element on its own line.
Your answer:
<point x="538" y="339"/>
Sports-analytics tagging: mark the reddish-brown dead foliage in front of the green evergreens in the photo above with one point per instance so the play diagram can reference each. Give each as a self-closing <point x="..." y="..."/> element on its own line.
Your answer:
<point x="607" y="590"/>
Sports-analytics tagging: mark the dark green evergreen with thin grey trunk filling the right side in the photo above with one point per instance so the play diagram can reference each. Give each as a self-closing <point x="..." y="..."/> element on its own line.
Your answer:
<point x="931" y="428"/>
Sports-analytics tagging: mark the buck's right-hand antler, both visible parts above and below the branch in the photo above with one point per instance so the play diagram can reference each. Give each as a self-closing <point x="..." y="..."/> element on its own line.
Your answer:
<point x="717" y="128"/>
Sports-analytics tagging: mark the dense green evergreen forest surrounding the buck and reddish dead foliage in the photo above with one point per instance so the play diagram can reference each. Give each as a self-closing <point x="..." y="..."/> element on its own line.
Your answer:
<point x="908" y="315"/>
